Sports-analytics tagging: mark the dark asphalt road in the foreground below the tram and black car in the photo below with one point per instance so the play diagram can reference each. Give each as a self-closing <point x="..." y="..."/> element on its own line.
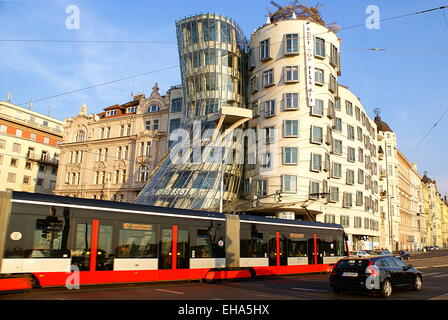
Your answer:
<point x="434" y="267"/>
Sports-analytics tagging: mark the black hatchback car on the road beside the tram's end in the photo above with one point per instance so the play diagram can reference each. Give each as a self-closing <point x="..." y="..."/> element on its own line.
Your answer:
<point x="374" y="274"/>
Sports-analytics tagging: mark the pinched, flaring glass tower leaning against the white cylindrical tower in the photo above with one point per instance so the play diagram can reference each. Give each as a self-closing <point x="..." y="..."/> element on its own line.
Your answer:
<point x="213" y="57"/>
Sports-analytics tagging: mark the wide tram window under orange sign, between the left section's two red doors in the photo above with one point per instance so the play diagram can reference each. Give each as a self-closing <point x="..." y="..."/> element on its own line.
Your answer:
<point x="137" y="244"/>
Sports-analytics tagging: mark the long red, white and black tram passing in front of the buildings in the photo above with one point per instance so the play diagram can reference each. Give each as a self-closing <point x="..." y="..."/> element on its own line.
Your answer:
<point x="47" y="238"/>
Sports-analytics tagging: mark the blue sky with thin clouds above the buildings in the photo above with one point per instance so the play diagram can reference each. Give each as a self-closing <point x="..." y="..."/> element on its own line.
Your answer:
<point x="410" y="87"/>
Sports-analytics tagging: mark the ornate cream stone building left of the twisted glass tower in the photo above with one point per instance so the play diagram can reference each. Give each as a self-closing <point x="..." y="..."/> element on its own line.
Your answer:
<point x="110" y="155"/>
